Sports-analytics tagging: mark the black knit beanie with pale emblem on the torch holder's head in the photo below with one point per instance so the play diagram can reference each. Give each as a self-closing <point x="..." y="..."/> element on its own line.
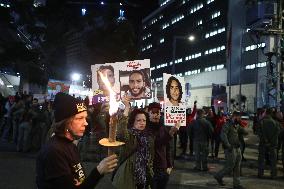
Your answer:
<point x="66" y="106"/>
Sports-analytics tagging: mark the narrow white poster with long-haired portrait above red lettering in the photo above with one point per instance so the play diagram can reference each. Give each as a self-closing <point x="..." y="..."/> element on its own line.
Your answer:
<point x="174" y="98"/>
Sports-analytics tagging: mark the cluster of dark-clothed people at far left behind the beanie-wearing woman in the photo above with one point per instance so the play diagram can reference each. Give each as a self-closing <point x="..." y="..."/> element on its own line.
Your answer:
<point x="24" y="121"/>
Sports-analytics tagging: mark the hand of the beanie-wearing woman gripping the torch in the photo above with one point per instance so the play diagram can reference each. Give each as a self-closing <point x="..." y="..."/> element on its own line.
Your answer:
<point x="108" y="164"/>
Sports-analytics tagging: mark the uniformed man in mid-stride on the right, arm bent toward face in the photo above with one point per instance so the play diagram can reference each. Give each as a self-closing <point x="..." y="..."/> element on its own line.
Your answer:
<point x="230" y="136"/>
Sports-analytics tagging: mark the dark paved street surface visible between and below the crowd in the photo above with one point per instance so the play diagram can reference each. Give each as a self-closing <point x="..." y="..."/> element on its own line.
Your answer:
<point x="18" y="171"/>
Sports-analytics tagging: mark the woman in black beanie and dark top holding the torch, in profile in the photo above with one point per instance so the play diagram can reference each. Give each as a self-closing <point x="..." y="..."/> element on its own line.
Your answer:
<point x="58" y="164"/>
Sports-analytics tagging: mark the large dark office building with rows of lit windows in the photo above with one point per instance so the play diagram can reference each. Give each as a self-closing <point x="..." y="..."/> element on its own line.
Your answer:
<point x="220" y="39"/>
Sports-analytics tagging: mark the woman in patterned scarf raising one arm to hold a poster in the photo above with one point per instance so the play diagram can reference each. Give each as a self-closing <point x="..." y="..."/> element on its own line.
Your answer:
<point x="135" y="169"/>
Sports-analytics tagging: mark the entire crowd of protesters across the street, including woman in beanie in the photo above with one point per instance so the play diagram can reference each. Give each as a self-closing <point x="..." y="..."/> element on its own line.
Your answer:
<point x="146" y="159"/>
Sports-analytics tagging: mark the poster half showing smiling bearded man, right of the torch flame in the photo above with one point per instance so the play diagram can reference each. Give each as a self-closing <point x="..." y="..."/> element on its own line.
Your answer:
<point x="135" y="79"/>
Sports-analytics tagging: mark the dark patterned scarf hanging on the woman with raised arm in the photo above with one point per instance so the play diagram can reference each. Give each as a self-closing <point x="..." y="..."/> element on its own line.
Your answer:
<point x="142" y="155"/>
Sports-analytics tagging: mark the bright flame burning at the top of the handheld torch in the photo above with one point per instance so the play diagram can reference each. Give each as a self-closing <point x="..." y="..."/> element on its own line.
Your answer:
<point x="113" y="104"/>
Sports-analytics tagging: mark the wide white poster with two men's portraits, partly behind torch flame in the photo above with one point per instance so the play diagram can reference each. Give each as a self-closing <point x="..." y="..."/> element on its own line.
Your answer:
<point x="130" y="78"/>
